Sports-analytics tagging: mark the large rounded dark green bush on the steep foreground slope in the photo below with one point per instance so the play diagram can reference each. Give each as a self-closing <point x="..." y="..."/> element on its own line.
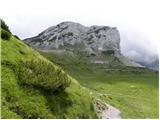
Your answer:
<point x="43" y="75"/>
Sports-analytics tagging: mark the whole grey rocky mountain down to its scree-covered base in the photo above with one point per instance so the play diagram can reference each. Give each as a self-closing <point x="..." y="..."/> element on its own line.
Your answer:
<point x="101" y="44"/>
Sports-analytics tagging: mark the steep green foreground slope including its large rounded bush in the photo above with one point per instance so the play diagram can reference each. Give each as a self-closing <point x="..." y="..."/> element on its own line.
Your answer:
<point x="33" y="87"/>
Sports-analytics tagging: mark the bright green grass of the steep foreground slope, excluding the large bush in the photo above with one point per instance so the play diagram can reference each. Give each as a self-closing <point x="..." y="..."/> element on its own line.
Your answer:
<point x="23" y="101"/>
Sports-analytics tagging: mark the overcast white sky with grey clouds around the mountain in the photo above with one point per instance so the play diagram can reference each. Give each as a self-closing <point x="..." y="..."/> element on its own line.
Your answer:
<point x="136" y="20"/>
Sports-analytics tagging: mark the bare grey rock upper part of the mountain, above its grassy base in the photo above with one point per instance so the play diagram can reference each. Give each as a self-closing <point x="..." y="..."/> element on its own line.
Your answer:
<point x="71" y="33"/>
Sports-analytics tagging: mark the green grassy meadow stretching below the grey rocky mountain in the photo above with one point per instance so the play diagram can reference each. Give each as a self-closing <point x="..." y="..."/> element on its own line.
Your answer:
<point x="133" y="90"/>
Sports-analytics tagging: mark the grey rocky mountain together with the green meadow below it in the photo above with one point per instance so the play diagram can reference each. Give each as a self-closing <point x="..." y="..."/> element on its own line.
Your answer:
<point x="92" y="55"/>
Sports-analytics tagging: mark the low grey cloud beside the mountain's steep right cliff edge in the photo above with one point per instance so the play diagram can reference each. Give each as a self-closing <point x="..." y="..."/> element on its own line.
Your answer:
<point x="138" y="47"/>
